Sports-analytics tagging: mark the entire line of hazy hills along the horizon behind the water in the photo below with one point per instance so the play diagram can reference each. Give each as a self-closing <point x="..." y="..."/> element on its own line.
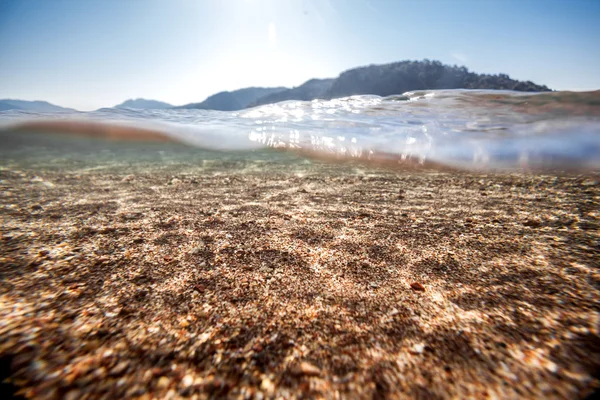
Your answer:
<point x="382" y="80"/>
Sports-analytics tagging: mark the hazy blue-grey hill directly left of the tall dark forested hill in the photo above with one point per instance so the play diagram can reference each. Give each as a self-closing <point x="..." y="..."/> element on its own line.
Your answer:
<point x="232" y="101"/>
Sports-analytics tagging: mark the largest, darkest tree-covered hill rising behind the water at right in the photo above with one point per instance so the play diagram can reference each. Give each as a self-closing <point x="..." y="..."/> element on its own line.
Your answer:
<point x="397" y="78"/>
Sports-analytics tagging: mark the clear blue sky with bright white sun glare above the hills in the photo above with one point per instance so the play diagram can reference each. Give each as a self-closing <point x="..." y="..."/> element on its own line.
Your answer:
<point x="88" y="54"/>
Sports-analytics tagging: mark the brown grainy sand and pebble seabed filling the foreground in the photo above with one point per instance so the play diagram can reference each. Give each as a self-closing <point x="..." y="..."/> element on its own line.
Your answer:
<point x="287" y="284"/>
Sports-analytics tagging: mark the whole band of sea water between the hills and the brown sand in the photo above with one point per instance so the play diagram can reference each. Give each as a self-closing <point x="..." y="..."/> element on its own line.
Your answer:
<point x="471" y="129"/>
